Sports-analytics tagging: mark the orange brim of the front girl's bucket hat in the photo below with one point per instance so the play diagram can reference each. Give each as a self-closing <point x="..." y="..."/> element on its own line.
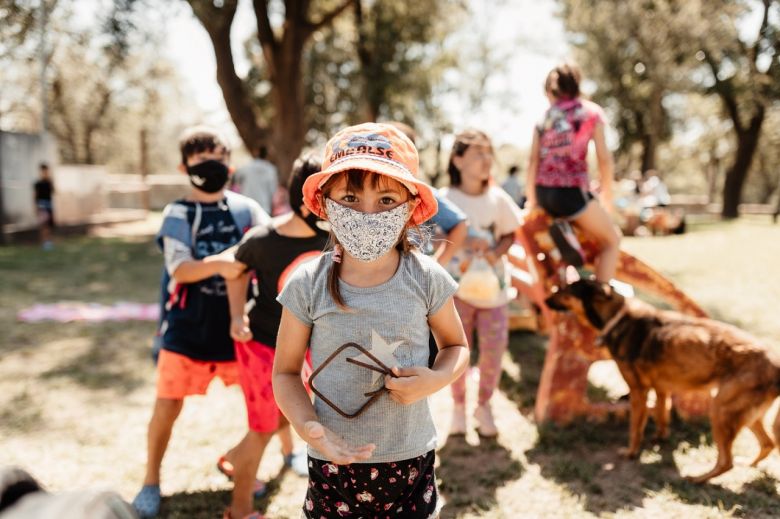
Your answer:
<point x="427" y="207"/>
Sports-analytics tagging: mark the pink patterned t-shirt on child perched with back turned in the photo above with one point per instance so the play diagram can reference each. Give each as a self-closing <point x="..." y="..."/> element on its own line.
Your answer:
<point x="564" y="134"/>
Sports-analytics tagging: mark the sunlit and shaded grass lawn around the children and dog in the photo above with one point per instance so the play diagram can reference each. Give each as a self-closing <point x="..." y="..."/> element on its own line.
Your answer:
<point x="75" y="398"/>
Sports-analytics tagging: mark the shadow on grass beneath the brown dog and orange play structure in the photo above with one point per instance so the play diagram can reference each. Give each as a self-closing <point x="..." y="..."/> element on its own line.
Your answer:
<point x="583" y="456"/>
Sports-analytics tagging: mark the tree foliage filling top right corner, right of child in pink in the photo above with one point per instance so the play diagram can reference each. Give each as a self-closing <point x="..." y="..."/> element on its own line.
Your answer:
<point x="649" y="57"/>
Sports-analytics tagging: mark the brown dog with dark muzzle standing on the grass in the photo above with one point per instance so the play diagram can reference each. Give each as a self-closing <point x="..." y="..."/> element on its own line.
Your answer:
<point x="668" y="352"/>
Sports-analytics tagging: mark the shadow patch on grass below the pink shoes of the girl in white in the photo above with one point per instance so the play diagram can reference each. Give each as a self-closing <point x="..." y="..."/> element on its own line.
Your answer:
<point x="471" y="474"/>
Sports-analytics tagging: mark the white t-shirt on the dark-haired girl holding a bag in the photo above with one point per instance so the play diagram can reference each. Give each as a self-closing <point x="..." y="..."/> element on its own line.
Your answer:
<point x="491" y="215"/>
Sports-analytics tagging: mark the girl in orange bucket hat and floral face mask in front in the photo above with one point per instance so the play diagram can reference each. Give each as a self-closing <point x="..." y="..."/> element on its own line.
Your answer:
<point x="365" y="309"/>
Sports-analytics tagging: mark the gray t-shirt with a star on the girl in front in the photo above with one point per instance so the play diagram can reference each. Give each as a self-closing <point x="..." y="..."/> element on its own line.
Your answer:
<point x="391" y="321"/>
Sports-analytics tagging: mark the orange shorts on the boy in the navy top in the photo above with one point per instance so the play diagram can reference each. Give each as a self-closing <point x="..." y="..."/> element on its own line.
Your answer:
<point x="179" y="376"/>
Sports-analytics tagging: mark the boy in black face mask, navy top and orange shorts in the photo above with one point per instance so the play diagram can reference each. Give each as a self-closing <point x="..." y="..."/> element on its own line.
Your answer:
<point x="196" y="343"/>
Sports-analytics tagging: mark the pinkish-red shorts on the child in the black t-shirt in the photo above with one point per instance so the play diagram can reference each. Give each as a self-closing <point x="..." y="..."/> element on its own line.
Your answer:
<point x="255" y="363"/>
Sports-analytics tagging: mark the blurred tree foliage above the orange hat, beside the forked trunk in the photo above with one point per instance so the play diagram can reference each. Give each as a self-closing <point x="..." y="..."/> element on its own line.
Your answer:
<point x="380" y="63"/>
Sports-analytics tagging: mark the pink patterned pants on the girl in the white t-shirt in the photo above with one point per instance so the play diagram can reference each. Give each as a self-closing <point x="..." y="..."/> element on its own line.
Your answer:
<point x="492" y="327"/>
